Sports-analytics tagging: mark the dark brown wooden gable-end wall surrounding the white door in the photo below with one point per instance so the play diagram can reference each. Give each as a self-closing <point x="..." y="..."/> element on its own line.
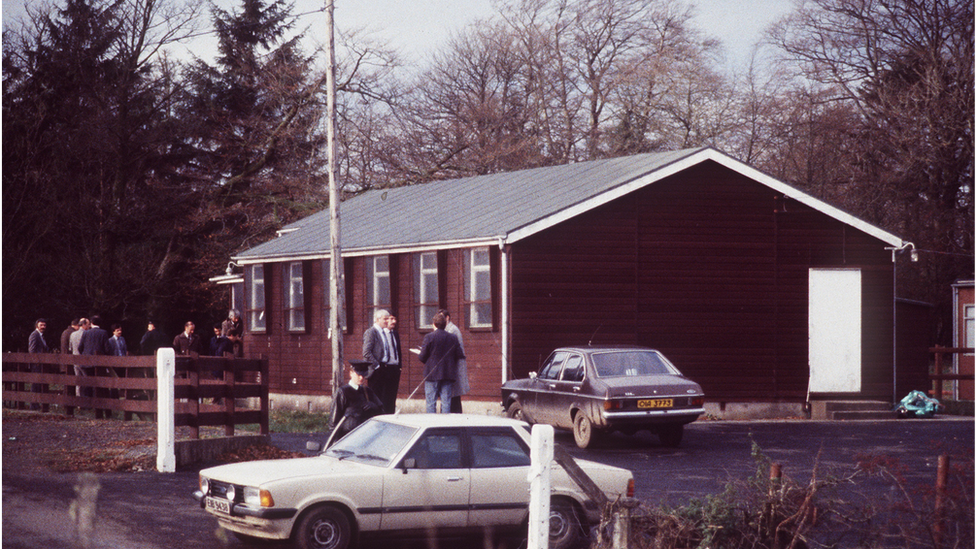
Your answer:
<point x="707" y="266"/>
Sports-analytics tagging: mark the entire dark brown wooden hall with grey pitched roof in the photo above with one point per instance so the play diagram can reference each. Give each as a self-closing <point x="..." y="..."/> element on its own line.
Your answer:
<point x="759" y="292"/>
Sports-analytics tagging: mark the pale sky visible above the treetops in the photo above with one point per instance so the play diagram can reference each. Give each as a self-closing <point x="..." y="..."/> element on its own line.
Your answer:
<point x="417" y="26"/>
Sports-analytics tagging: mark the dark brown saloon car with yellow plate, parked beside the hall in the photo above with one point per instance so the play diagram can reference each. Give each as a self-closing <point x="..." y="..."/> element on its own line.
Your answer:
<point x="602" y="389"/>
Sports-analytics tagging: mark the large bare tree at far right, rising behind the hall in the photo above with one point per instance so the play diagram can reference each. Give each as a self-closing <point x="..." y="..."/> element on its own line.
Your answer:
<point x="906" y="69"/>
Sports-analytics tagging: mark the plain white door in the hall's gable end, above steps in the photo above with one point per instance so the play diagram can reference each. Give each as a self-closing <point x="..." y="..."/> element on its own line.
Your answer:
<point x="835" y="330"/>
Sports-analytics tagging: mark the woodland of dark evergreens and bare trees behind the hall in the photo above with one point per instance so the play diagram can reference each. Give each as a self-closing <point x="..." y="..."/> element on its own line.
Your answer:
<point x="130" y="177"/>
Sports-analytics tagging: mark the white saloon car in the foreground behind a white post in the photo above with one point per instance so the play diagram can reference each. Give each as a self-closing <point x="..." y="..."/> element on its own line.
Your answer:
<point x="404" y="475"/>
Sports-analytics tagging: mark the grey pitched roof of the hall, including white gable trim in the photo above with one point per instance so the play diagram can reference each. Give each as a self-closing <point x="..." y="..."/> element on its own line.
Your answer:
<point x="505" y="206"/>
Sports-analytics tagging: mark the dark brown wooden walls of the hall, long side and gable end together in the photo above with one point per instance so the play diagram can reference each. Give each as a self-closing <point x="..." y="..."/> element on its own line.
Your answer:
<point x="708" y="266"/>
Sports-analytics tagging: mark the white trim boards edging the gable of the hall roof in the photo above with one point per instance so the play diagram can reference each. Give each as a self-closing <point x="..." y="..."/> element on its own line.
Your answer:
<point x="688" y="162"/>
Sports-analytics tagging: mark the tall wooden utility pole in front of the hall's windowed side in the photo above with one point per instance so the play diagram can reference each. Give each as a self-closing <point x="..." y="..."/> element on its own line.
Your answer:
<point x="336" y="286"/>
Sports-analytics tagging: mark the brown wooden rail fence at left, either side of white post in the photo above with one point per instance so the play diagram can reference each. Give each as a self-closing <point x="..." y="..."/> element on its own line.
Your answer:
<point x="207" y="389"/>
